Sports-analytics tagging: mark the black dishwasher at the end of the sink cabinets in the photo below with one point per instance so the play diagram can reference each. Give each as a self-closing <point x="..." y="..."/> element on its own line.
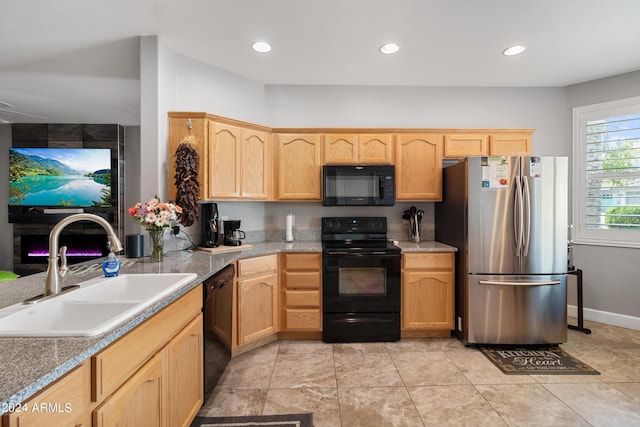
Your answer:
<point x="218" y="300"/>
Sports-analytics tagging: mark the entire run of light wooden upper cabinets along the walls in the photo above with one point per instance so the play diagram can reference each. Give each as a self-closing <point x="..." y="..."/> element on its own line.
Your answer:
<point x="245" y="161"/>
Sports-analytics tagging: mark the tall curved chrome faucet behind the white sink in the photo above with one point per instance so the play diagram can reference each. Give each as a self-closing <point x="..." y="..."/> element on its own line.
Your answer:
<point x="55" y="273"/>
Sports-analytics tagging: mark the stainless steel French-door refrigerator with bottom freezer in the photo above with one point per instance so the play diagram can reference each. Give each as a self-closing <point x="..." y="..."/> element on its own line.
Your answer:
<point x="508" y="218"/>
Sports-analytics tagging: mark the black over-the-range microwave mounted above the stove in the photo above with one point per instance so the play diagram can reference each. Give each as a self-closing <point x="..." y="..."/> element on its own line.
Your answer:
<point x="359" y="185"/>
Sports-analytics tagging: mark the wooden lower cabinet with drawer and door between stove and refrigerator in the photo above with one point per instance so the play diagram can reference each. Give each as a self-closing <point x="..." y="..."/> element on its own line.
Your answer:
<point x="427" y="292"/>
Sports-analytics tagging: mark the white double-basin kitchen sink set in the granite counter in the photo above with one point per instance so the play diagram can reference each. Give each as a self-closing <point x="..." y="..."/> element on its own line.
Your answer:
<point x="95" y="307"/>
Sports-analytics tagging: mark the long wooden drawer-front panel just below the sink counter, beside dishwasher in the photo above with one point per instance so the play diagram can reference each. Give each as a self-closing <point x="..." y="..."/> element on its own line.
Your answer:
<point x="113" y="365"/>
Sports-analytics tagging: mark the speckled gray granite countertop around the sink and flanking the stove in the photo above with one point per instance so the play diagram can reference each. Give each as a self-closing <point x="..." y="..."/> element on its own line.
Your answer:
<point x="28" y="364"/>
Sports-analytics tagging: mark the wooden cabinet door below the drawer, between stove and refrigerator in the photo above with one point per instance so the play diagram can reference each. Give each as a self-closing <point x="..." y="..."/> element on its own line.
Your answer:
<point x="427" y="300"/>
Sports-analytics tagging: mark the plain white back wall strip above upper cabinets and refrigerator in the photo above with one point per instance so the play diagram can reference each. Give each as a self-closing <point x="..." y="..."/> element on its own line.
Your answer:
<point x="436" y="107"/>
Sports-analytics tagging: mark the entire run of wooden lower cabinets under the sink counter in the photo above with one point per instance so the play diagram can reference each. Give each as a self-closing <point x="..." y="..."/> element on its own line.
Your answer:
<point x="152" y="376"/>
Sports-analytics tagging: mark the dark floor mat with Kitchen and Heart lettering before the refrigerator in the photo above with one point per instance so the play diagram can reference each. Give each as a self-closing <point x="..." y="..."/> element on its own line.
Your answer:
<point x="536" y="360"/>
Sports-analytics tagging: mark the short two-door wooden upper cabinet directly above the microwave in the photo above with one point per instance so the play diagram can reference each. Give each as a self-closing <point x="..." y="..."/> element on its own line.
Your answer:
<point x="352" y="148"/>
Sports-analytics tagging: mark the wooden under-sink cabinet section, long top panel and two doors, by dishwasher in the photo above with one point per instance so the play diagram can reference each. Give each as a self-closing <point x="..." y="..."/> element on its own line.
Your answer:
<point x="153" y="375"/>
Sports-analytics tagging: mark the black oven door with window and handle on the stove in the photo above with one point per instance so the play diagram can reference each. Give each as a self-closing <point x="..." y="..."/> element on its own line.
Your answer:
<point x="360" y="282"/>
